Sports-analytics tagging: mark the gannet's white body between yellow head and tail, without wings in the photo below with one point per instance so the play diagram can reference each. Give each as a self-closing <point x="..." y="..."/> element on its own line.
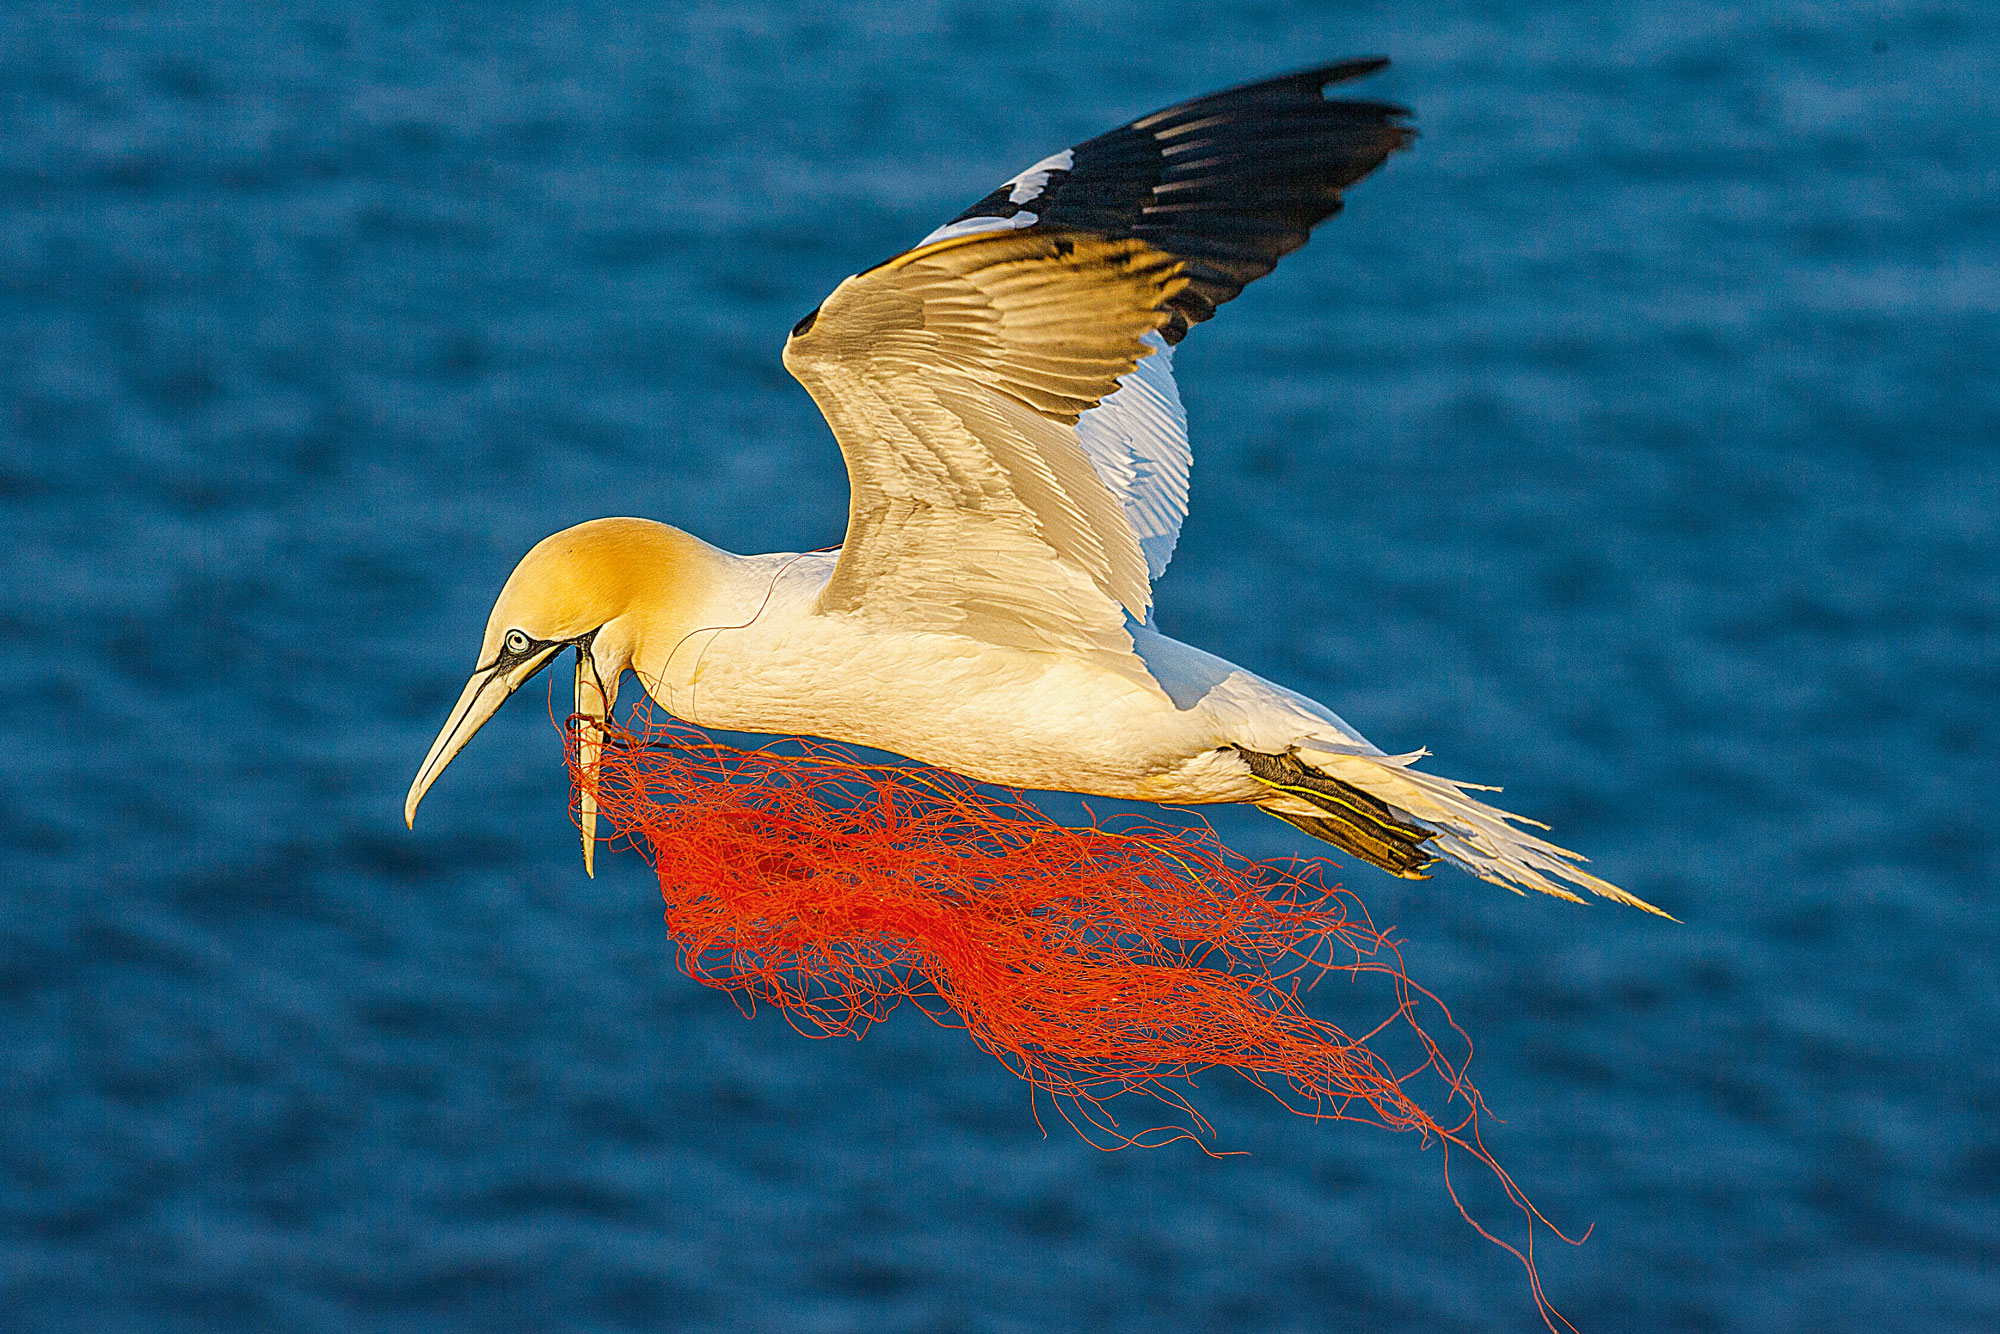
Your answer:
<point x="765" y="659"/>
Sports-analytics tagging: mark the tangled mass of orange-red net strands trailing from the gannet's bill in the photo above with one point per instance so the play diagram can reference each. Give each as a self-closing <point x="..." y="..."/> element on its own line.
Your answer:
<point x="1115" y="959"/>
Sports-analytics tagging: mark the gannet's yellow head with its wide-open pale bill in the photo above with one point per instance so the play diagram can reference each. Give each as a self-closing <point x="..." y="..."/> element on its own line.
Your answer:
<point x="595" y="589"/>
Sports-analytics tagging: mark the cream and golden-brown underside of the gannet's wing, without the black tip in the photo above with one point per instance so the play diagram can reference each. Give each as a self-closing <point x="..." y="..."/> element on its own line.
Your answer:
<point x="955" y="379"/>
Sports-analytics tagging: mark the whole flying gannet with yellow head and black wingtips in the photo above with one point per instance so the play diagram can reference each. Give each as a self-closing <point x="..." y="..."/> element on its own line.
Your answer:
<point x="1017" y="459"/>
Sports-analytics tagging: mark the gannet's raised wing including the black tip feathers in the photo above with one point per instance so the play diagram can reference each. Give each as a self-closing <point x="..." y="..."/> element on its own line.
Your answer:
<point x="1005" y="393"/>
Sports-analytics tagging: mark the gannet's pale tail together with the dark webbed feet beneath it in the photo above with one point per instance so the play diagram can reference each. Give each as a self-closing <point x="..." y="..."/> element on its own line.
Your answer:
<point x="1403" y="821"/>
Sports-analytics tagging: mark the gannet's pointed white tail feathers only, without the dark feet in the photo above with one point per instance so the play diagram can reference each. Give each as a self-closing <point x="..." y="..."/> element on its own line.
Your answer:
<point x="1471" y="835"/>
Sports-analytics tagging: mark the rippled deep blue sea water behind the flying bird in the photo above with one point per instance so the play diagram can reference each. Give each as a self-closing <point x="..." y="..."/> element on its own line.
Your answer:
<point x="1631" y="443"/>
